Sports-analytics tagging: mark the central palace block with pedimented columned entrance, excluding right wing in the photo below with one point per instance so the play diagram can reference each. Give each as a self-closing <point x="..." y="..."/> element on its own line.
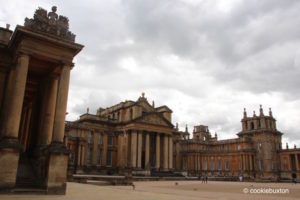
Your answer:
<point x="130" y="135"/>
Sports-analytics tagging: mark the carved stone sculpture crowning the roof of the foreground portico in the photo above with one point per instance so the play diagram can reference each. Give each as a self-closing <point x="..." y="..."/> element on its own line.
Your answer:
<point x="50" y="23"/>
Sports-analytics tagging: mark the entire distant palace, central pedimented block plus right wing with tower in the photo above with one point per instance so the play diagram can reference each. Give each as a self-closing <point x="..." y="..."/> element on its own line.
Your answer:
<point x="138" y="136"/>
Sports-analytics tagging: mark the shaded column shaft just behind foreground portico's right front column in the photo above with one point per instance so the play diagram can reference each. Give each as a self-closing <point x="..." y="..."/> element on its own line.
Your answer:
<point x="48" y="114"/>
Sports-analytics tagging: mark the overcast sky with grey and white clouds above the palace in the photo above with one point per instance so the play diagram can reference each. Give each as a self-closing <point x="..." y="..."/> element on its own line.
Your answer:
<point x="205" y="59"/>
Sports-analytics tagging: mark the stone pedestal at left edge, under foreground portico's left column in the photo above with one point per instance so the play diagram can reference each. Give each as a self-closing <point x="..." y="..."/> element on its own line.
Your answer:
<point x="9" y="159"/>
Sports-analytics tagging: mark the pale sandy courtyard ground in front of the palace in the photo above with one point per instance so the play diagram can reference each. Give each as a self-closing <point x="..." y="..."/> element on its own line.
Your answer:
<point x="169" y="190"/>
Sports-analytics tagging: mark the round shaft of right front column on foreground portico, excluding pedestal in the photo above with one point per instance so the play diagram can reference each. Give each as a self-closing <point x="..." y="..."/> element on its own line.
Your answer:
<point x="61" y="105"/>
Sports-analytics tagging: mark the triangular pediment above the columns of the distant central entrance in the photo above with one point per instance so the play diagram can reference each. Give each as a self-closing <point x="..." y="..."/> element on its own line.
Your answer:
<point x="154" y="119"/>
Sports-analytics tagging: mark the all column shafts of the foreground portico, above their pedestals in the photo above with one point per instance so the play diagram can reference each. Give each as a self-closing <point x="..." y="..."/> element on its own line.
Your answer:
<point x="55" y="109"/>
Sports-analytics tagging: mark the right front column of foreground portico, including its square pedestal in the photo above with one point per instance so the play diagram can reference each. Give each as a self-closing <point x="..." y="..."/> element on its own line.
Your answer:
<point x="58" y="158"/>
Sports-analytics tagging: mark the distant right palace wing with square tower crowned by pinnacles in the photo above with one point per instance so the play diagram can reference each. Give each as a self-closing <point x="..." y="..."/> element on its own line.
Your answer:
<point x="255" y="154"/>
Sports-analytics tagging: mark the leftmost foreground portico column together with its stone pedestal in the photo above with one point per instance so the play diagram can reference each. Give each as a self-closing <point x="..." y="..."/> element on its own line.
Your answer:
<point x="9" y="144"/>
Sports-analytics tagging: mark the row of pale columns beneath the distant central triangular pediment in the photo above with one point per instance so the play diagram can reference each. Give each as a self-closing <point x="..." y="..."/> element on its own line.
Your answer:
<point x="136" y="151"/>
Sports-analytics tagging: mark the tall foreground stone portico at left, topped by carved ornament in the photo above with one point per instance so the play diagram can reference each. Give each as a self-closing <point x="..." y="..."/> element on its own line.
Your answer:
<point x="35" y="64"/>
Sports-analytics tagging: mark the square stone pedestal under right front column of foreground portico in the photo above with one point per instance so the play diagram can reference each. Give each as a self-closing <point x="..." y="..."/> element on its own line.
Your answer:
<point x="57" y="169"/>
